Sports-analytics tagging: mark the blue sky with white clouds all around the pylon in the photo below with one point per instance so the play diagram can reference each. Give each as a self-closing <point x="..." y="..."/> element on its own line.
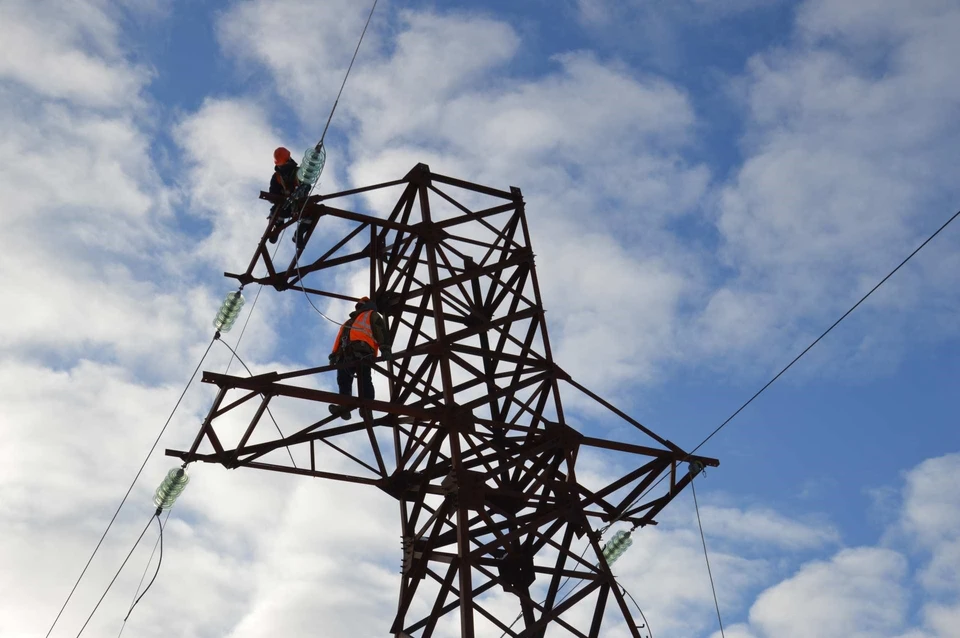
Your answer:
<point x="731" y="177"/>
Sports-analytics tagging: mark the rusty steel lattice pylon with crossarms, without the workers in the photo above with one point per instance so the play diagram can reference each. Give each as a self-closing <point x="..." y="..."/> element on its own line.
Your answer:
<point x="473" y="441"/>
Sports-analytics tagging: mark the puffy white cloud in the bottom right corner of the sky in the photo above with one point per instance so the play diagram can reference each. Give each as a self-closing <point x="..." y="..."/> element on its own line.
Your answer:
<point x="866" y="591"/>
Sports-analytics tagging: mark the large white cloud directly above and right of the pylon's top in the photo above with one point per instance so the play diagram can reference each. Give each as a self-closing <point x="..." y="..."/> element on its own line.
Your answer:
<point x="421" y="102"/>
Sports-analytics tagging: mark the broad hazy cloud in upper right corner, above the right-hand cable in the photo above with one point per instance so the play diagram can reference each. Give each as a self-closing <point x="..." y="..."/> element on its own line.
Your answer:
<point x="849" y="136"/>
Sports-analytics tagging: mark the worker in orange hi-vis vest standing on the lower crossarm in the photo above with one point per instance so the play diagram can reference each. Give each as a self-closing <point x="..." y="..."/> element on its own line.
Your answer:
<point x="360" y="339"/>
